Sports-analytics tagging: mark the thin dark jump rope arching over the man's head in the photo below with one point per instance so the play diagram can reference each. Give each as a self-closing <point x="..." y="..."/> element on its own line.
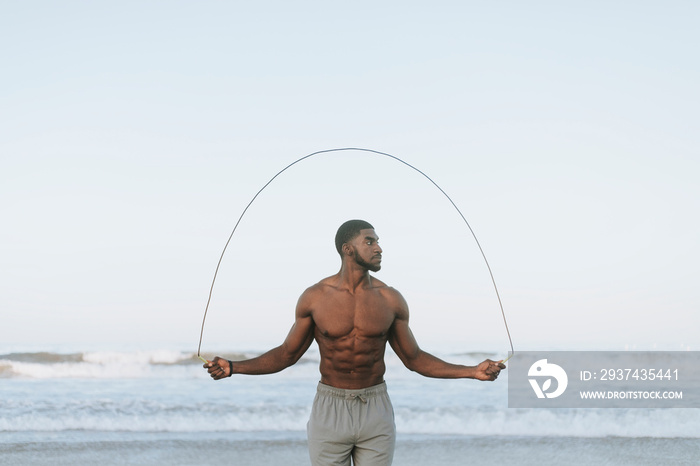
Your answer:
<point x="488" y="266"/>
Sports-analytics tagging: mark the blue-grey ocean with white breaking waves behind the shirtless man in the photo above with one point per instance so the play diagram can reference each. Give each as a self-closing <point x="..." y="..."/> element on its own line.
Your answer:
<point x="160" y="407"/>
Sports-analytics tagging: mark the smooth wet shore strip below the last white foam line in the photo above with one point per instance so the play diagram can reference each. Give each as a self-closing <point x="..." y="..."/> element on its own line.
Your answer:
<point x="264" y="449"/>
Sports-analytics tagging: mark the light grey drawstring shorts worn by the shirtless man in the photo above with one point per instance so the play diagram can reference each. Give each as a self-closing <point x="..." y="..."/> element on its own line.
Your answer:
<point x="351" y="423"/>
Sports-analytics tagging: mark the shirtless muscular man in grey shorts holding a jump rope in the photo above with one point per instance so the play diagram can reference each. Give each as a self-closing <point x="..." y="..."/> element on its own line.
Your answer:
<point x="352" y="316"/>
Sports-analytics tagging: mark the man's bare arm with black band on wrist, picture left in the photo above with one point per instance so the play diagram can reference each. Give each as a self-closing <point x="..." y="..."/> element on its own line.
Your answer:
<point x="288" y="353"/>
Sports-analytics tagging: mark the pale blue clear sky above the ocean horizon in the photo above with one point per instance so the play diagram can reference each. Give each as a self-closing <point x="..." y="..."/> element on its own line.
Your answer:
<point x="134" y="134"/>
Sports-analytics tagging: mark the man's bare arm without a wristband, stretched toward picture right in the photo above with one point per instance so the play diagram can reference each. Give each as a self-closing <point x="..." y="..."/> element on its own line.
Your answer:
<point x="406" y="348"/>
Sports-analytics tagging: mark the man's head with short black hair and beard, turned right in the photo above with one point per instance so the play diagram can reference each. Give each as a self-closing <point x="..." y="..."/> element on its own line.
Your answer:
<point x="365" y="251"/>
